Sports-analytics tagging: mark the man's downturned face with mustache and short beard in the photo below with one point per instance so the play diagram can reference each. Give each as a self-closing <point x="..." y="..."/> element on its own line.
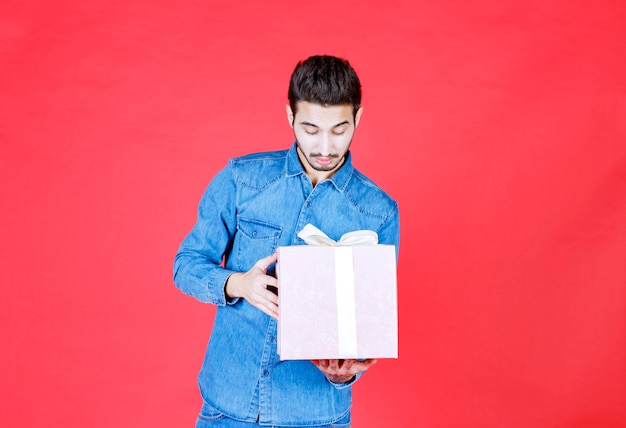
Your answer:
<point x="323" y="136"/>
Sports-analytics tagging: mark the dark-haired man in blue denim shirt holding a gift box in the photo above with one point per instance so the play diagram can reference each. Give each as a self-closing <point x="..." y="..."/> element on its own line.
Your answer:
<point x="254" y="205"/>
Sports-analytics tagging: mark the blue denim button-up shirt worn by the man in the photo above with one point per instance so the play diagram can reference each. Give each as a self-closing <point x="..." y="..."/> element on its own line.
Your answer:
<point x="254" y="205"/>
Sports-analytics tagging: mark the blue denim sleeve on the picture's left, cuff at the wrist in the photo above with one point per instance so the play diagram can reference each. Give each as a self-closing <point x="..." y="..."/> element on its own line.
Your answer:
<point x="198" y="269"/>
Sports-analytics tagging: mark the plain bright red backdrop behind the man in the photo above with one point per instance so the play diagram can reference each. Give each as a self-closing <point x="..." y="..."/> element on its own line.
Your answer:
<point x="499" y="126"/>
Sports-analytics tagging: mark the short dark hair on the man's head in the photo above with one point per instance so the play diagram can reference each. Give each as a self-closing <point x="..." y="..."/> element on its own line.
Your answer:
<point x="324" y="80"/>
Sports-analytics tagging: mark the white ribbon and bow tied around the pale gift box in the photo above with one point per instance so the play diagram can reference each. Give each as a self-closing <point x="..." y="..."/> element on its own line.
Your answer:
<point x="344" y="280"/>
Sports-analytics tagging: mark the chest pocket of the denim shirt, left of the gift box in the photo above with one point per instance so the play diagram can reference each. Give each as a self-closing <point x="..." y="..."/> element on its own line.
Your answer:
<point x="254" y="240"/>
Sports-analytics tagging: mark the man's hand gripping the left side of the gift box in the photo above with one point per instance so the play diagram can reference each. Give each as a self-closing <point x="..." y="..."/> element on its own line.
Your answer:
<point x="252" y="286"/>
